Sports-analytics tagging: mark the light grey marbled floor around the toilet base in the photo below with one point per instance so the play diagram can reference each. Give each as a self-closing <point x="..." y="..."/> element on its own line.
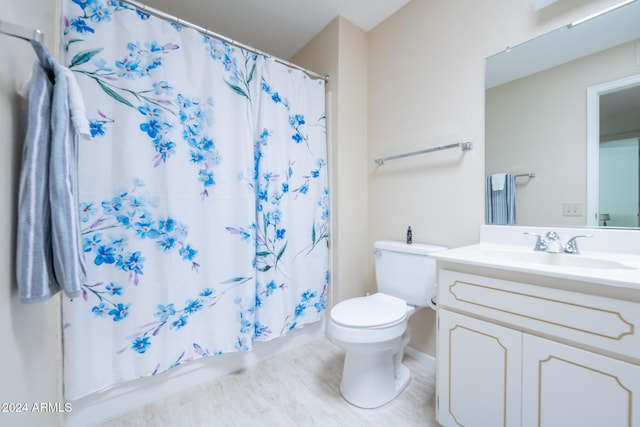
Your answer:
<point x="298" y="388"/>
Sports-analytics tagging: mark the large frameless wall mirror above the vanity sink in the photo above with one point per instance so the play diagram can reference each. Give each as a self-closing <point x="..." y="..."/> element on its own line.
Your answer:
<point x="565" y="106"/>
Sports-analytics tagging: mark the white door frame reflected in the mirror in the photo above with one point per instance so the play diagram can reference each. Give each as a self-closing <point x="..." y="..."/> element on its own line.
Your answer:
<point x="593" y="139"/>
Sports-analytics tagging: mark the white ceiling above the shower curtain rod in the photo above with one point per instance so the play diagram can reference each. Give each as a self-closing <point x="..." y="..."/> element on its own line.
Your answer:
<point x="278" y="27"/>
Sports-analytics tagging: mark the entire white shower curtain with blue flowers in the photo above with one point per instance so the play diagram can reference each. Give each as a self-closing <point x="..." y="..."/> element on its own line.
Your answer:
<point x="203" y="197"/>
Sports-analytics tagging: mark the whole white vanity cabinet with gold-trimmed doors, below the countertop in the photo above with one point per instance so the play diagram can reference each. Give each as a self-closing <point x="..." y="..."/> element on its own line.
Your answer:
<point x="512" y="353"/>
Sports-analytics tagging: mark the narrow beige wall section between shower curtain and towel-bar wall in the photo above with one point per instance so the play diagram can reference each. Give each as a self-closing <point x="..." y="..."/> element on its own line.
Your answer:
<point x="340" y="50"/>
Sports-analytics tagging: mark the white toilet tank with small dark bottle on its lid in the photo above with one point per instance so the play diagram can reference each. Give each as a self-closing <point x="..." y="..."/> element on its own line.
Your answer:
<point x="406" y="270"/>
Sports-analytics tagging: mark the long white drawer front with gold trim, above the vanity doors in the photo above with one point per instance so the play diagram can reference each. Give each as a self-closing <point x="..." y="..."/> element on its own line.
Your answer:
<point x="606" y="324"/>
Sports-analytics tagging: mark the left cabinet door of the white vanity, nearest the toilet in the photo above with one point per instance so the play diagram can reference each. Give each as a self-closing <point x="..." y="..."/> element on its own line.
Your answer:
<point x="478" y="372"/>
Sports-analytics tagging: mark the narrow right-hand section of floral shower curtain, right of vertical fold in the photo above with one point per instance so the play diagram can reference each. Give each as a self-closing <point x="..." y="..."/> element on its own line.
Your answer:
<point x="292" y="203"/>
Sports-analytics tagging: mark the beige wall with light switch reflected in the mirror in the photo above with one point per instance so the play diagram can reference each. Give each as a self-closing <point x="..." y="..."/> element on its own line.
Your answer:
<point x="547" y="133"/>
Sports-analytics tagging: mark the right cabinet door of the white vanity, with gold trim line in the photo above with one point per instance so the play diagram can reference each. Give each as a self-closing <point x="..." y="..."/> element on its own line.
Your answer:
<point x="564" y="386"/>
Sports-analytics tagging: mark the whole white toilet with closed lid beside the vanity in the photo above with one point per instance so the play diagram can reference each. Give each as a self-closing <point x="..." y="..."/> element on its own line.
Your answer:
<point x="373" y="330"/>
